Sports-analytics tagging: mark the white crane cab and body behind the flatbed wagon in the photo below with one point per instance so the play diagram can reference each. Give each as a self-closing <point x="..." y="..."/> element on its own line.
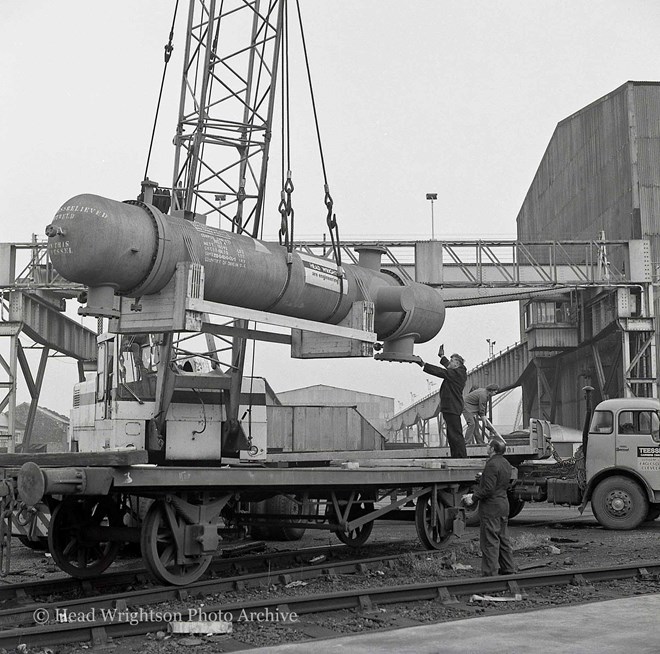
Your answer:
<point x="116" y="408"/>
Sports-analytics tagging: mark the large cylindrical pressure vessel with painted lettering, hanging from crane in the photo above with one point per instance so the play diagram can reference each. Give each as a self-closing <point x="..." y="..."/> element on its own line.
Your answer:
<point x="133" y="249"/>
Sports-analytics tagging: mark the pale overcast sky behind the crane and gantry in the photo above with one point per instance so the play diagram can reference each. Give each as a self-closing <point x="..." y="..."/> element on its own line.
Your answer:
<point x="458" y="98"/>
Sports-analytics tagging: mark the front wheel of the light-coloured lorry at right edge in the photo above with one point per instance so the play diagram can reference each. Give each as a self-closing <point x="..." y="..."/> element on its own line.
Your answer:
<point x="619" y="503"/>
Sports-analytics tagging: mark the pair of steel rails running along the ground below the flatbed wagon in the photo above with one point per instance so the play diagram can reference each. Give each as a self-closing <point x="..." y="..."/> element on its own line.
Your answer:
<point x="103" y="617"/>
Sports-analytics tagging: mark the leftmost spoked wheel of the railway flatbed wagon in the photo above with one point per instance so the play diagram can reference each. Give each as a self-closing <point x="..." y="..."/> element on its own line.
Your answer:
<point x="74" y="543"/>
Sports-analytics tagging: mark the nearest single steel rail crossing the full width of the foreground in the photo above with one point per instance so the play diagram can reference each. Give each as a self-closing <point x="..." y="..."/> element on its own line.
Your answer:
<point x="444" y="590"/>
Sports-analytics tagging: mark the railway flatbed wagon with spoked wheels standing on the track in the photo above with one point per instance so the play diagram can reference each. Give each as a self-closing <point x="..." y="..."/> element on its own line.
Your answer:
<point x="182" y="515"/>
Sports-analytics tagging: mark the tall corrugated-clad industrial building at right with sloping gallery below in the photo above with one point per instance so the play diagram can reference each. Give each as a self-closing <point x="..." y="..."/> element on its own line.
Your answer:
<point x="598" y="180"/>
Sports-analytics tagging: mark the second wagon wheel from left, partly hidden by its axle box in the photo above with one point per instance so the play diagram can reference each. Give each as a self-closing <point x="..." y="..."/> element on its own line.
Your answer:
<point x="159" y="549"/>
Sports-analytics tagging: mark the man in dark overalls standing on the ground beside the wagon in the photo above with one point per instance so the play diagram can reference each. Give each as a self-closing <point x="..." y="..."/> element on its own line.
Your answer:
<point x="496" y="552"/>
